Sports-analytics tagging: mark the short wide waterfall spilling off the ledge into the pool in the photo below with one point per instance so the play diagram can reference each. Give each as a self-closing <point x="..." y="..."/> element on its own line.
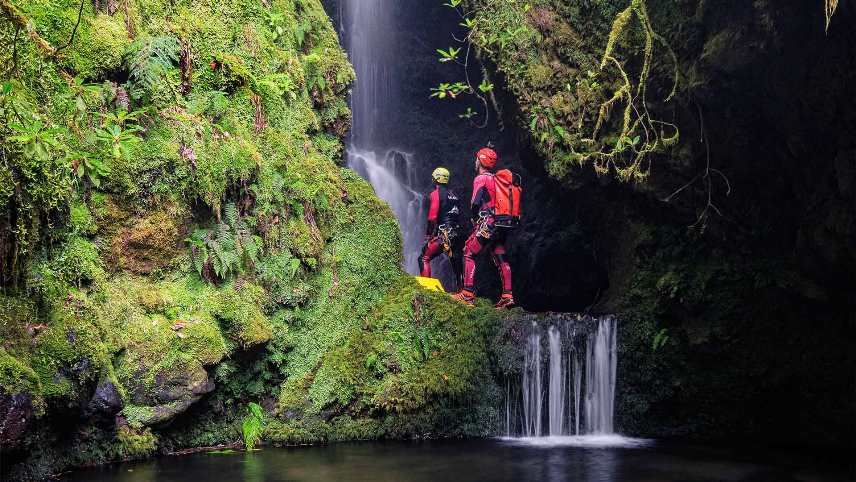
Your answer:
<point x="581" y="369"/>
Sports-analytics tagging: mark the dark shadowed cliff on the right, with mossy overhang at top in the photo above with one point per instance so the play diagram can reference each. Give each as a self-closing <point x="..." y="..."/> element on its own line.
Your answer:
<point x="729" y="250"/>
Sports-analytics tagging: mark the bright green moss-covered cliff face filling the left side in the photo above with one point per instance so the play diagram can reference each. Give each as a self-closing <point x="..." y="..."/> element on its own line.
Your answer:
<point x="178" y="239"/>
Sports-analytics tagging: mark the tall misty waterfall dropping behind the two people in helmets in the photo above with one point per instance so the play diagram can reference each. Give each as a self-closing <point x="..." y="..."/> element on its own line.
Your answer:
<point x="367" y="28"/>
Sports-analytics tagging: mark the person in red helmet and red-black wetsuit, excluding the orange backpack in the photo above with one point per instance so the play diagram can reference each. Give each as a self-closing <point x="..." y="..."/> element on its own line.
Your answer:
<point x="485" y="235"/>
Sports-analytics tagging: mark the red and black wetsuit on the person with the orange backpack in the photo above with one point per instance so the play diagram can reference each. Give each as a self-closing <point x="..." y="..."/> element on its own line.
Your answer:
<point x="485" y="234"/>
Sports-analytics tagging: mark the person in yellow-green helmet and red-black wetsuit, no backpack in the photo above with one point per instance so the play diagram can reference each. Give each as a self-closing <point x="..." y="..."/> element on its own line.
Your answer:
<point x="443" y="225"/>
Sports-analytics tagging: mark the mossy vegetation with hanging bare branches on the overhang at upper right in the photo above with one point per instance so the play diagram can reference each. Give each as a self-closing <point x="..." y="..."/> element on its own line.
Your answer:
<point x="584" y="102"/>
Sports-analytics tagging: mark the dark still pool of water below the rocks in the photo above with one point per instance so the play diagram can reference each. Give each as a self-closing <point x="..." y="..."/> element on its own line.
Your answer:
<point x="464" y="461"/>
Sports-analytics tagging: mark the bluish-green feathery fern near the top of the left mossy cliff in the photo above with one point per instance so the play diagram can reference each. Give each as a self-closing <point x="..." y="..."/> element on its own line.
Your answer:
<point x="147" y="59"/>
